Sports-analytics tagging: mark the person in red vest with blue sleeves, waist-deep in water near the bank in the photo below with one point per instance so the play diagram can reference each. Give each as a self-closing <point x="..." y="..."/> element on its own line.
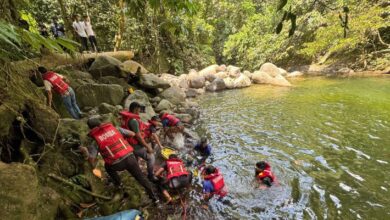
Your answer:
<point x="213" y="183"/>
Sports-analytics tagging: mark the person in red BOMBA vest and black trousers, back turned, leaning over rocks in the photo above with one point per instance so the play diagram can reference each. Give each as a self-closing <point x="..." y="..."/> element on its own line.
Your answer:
<point x="116" y="152"/>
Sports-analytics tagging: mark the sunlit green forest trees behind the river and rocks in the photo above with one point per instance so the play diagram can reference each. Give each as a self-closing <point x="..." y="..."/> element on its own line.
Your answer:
<point x="174" y="36"/>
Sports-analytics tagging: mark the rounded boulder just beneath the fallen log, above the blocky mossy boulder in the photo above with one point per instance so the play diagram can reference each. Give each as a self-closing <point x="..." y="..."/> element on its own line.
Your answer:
<point x="106" y="66"/>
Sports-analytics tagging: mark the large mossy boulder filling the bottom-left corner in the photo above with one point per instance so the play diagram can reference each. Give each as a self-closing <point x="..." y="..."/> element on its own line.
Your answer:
<point x="19" y="192"/>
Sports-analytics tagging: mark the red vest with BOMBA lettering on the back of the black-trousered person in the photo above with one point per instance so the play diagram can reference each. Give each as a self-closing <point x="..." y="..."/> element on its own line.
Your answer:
<point x="112" y="145"/>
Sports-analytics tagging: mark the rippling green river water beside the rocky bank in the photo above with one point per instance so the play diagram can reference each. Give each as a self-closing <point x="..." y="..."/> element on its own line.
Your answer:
<point x="327" y="140"/>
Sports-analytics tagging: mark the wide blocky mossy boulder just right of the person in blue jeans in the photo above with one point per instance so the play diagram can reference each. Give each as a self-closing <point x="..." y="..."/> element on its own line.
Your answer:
<point x="94" y="94"/>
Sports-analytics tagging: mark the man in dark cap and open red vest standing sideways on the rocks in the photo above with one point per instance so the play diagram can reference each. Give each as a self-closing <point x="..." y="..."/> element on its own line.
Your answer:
<point x="131" y="120"/>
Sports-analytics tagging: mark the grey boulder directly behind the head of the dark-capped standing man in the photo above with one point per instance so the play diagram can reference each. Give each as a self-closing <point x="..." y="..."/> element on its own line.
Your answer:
<point x="140" y="97"/>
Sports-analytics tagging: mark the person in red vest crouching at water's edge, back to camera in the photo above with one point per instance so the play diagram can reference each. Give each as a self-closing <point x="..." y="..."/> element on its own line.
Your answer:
<point x="177" y="176"/>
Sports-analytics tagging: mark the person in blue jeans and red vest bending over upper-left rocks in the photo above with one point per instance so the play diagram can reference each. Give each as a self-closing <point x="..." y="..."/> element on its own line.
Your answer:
<point x="56" y="82"/>
